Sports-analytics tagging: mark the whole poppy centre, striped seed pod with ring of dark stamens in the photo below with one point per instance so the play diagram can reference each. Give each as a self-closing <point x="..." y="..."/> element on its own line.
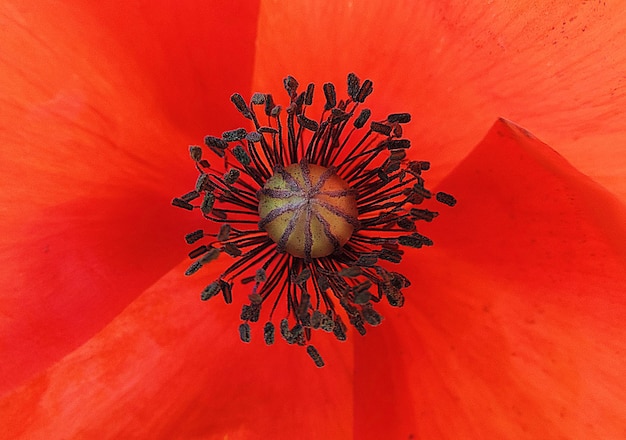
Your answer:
<point x="313" y="214"/>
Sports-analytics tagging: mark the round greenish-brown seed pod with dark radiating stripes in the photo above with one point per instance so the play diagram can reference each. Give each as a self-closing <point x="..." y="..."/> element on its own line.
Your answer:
<point x="307" y="210"/>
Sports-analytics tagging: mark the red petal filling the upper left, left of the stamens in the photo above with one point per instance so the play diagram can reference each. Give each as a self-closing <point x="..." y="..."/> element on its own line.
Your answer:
<point x="95" y="98"/>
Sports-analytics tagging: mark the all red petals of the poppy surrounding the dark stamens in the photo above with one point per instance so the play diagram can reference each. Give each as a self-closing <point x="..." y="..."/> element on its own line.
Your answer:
<point x="513" y="327"/>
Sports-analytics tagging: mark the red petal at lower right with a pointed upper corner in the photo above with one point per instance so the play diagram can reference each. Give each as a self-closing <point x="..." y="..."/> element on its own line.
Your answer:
<point x="514" y="326"/>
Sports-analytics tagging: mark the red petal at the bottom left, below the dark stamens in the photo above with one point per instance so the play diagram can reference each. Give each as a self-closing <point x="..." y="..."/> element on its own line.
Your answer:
<point x="171" y="366"/>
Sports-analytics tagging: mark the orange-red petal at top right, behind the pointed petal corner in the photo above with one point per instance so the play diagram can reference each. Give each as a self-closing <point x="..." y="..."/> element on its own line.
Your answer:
<point x="456" y="66"/>
